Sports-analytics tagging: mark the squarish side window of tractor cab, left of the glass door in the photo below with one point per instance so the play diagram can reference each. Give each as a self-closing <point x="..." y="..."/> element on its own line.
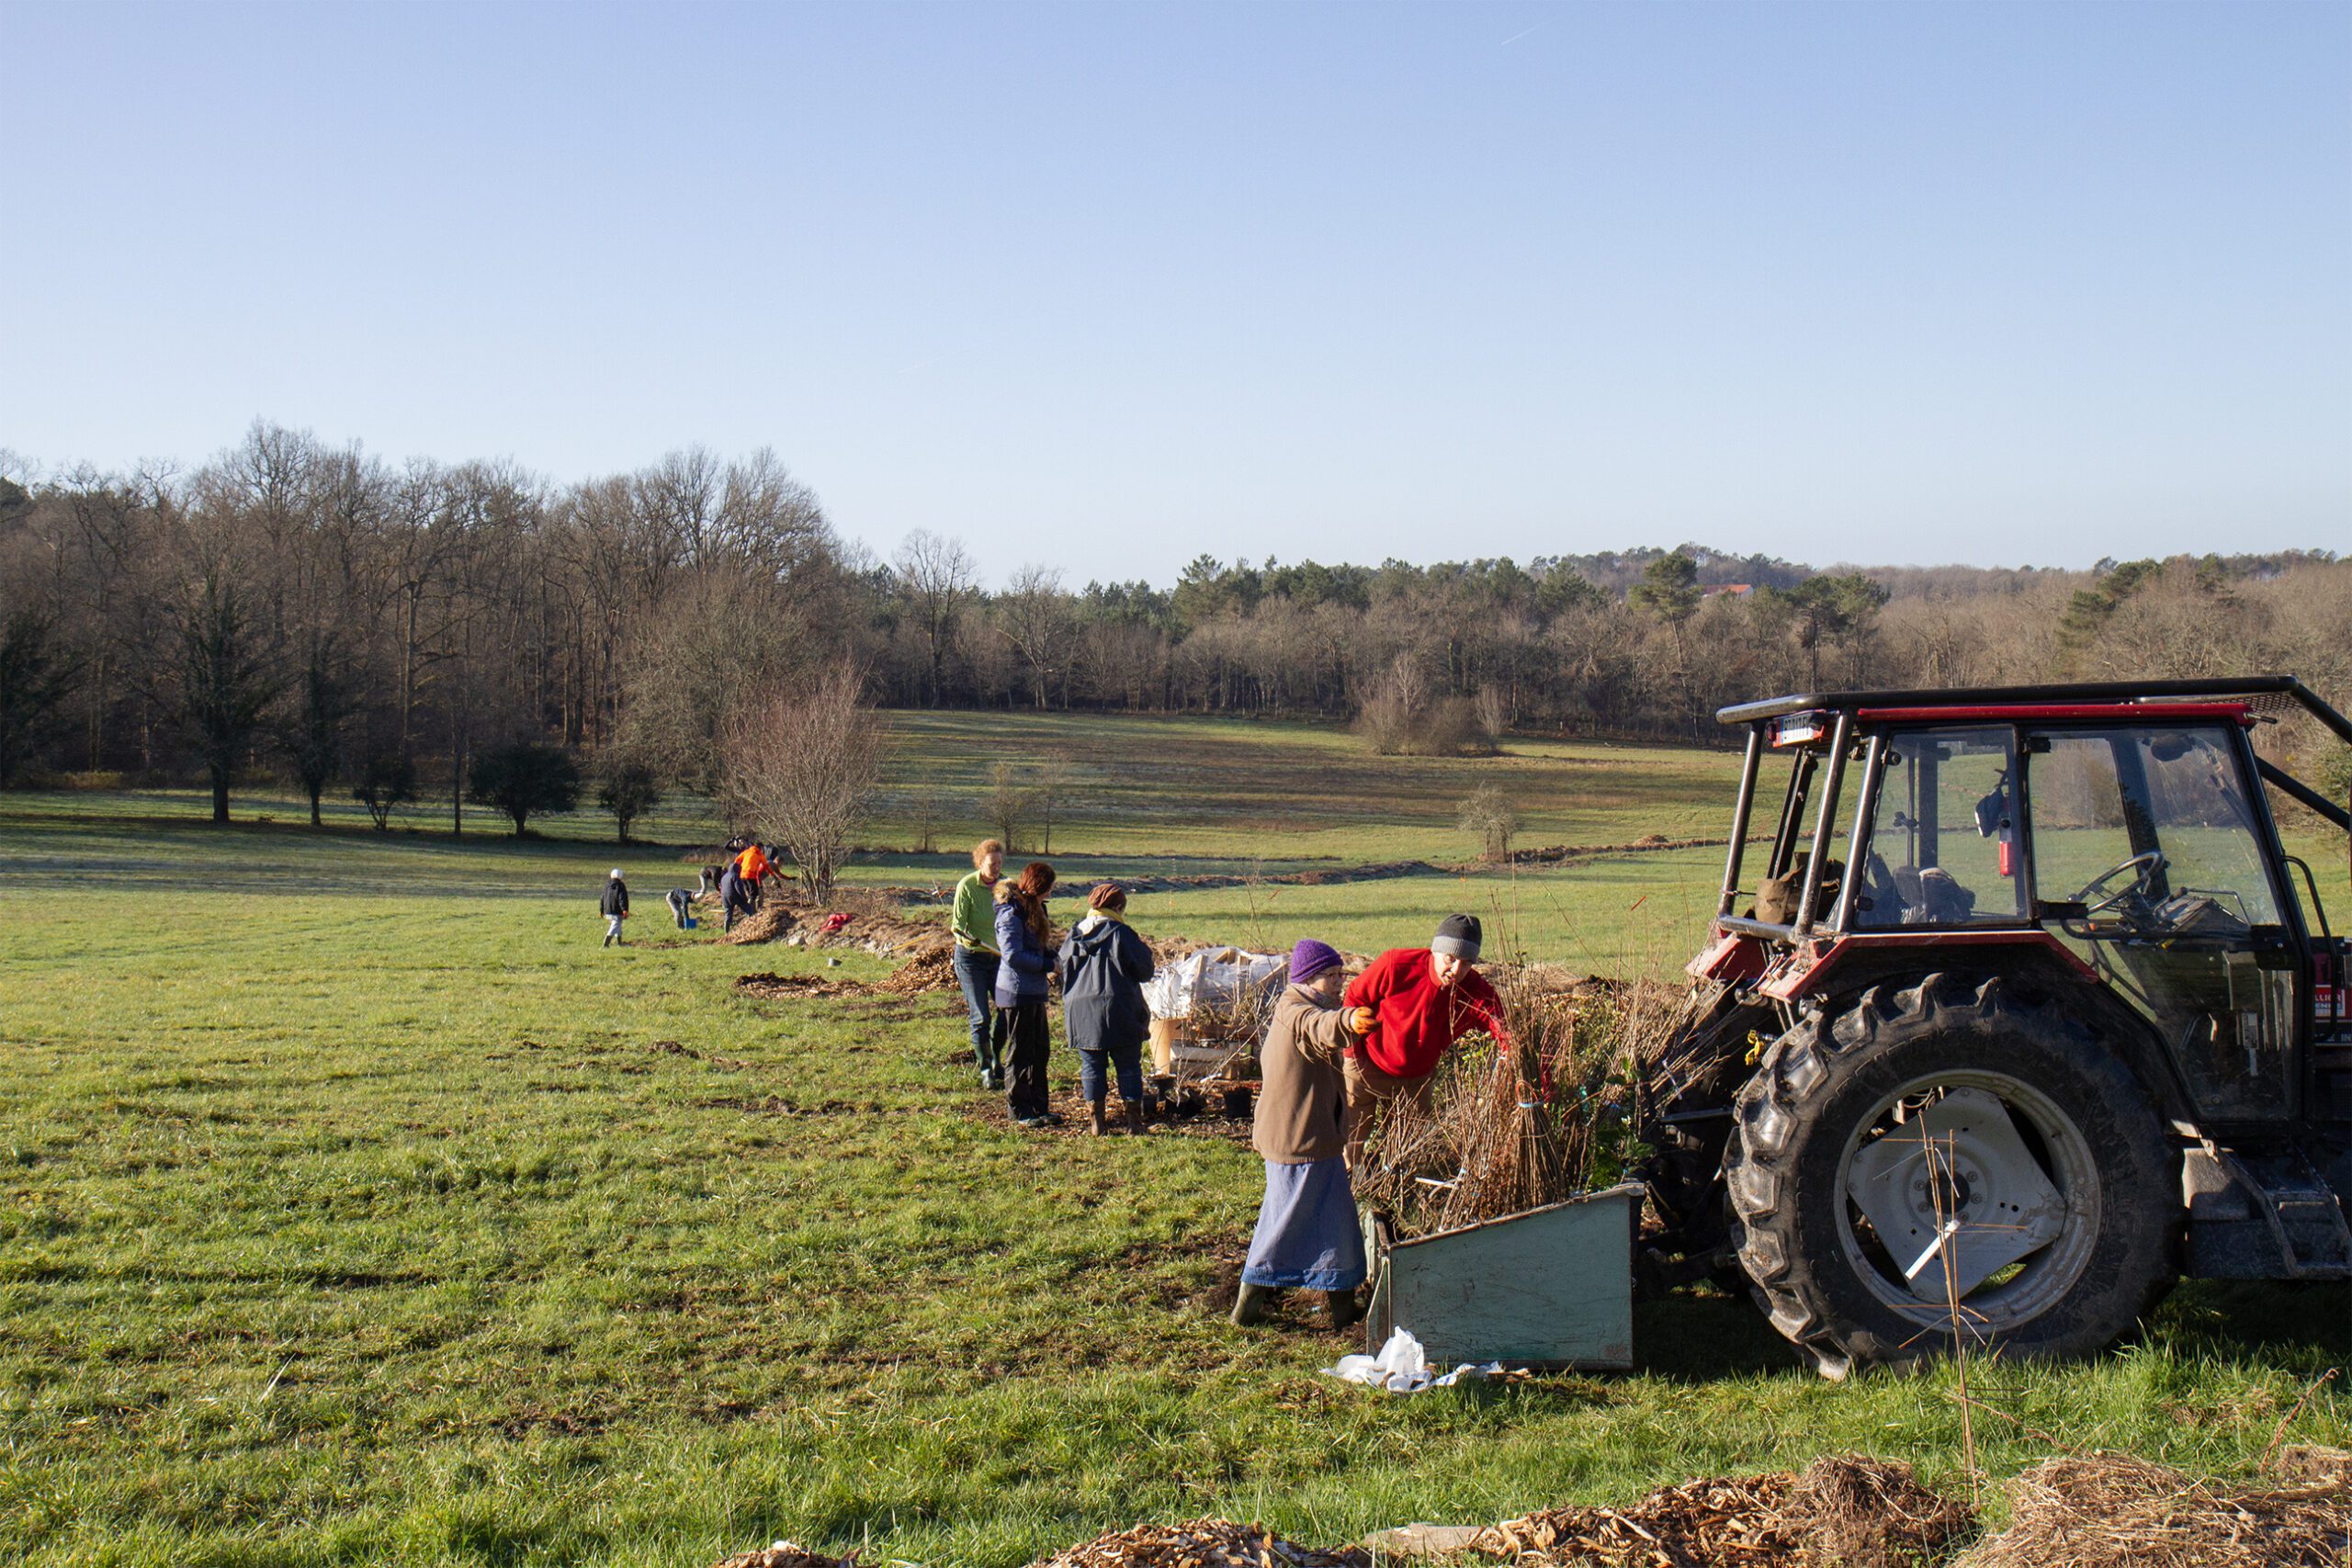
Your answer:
<point x="1944" y="840"/>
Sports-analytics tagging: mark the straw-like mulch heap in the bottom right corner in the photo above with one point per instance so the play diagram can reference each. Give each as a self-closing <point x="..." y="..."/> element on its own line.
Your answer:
<point x="2111" y="1513"/>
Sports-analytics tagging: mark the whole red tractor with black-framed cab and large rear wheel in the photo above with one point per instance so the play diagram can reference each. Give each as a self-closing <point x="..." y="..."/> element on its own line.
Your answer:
<point x="2026" y="1014"/>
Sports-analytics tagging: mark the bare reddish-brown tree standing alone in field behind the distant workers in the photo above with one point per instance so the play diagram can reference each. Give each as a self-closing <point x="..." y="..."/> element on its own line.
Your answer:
<point x="801" y="772"/>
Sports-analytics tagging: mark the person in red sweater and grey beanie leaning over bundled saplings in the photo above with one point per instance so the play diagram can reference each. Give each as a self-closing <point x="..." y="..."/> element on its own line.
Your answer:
<point x="1410" y="1007"/>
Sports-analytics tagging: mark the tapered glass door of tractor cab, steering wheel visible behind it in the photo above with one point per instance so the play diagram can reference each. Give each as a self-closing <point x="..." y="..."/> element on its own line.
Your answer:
<point x="2151" y="866"/>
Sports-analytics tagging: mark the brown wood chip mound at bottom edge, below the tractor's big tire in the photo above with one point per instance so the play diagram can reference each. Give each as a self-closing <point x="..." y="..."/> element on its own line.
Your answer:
<point x="1840" y="1513"/>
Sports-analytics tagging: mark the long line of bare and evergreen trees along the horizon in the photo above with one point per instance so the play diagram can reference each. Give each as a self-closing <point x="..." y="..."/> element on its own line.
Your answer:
<point x="432" y="631"/>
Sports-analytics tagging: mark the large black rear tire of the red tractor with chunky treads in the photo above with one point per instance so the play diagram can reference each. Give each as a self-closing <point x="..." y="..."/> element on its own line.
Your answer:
<point x="1833" y="1085"/>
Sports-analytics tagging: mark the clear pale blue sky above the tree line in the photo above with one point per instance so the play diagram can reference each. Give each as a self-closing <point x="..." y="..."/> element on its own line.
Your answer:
<point x="1114" y="286"/>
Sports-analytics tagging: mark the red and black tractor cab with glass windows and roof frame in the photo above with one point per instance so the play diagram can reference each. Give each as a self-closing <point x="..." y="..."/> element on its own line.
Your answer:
<point x="2120" y="833"/>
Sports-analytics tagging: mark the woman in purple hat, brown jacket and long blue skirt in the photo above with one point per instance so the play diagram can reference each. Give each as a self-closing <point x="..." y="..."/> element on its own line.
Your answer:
<point x="1307" y="1226"/>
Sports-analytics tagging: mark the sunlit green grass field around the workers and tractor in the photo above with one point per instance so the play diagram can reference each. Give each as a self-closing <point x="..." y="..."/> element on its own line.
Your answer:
<point x="359" y="1214"/>
